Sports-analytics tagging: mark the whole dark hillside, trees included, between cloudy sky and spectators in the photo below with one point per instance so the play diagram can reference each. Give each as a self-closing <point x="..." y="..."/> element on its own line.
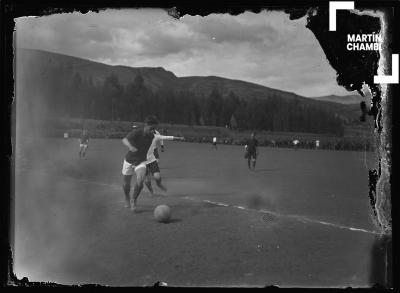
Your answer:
<point x="57" y="84"/>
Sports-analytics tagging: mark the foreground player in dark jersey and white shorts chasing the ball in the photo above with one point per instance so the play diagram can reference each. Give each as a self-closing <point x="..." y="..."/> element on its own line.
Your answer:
<point x="140" y="142"/>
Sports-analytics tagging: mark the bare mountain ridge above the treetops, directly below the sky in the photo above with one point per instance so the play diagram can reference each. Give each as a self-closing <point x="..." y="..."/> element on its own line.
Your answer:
<point x="158" y="77"/>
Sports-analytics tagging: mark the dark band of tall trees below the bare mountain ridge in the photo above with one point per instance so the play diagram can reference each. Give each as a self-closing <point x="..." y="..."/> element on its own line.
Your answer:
<point x="70" y="95"/>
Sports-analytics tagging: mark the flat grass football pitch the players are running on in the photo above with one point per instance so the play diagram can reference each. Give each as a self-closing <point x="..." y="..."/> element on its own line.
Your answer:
<point x="301" y="219"/>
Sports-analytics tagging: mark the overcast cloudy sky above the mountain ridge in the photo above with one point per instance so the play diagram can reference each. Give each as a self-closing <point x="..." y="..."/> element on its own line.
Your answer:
<point x="265" y="48"/>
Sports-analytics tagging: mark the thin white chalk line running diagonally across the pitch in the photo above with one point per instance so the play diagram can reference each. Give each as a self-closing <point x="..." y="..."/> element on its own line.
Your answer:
<point x="296" y="217"/>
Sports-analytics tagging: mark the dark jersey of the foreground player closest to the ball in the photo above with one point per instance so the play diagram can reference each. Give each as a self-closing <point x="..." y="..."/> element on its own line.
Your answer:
<point x="141" y="141"/>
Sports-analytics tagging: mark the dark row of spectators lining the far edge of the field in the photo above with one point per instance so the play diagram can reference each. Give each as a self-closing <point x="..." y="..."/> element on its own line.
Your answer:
<point x="118" y="131"/>
